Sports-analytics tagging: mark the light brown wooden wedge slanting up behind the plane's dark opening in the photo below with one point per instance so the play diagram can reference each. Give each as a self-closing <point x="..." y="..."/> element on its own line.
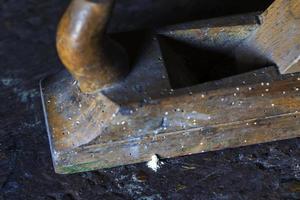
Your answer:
<point x="277" y="40"/>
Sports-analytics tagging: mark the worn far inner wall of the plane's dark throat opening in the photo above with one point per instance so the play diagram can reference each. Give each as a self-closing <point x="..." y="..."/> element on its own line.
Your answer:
<point x="218" y="34"/>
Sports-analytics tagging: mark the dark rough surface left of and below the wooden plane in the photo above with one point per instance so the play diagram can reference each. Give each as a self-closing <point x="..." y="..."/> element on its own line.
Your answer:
<point x="27" y="54"/>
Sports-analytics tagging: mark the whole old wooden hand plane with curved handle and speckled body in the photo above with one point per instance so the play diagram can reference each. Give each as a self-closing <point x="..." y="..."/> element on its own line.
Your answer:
<point x="109" y="109"/>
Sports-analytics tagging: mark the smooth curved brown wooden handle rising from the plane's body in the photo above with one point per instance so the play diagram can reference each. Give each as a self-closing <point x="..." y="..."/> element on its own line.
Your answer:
<point x="91" y="57"/>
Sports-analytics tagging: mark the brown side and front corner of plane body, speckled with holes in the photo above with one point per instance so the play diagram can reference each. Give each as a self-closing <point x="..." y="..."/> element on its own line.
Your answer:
<point x="189" y="121"/>
